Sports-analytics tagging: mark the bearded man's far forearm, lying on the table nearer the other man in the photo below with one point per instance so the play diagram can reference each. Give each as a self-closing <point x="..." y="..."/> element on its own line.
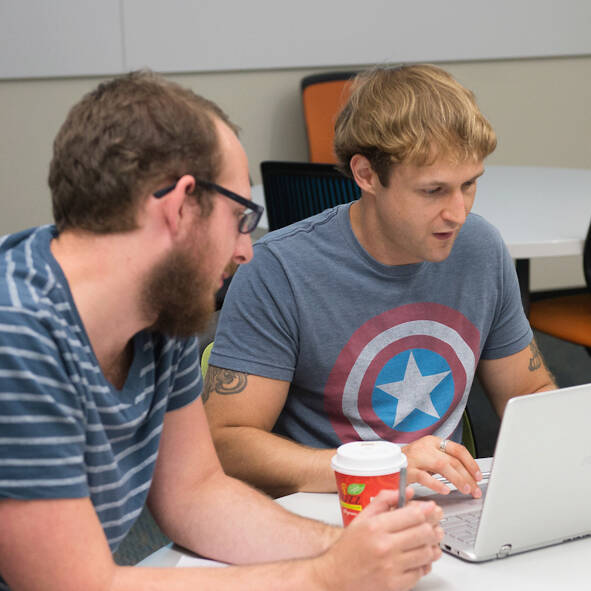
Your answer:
<point x="224" y="519"/>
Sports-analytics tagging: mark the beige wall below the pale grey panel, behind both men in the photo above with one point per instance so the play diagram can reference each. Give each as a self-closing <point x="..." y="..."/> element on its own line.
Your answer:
<point x="539" y="108"/>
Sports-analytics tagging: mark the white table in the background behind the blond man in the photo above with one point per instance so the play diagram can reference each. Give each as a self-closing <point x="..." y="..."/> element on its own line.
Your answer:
<point x="540" y="211"/>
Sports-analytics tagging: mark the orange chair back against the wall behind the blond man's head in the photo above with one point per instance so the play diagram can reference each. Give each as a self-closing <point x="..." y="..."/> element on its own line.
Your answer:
<point x="323" y="96"/>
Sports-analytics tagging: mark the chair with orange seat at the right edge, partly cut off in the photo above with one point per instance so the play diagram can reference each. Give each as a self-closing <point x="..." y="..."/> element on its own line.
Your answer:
<point x="567" y="317"/>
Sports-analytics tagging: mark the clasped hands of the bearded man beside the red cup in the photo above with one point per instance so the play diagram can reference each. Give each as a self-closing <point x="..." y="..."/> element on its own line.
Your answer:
<point x="384" y="548"/>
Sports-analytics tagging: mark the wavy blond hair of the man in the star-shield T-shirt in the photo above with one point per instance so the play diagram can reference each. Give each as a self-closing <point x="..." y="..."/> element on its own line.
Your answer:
<point x="410" y="113"/>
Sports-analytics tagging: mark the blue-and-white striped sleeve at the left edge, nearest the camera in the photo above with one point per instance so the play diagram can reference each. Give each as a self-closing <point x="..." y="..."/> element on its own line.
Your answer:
<point x="42" y="423"/>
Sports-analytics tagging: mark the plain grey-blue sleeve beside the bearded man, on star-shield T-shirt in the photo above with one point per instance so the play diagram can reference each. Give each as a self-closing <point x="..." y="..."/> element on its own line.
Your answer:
<point x="257" y="331"/>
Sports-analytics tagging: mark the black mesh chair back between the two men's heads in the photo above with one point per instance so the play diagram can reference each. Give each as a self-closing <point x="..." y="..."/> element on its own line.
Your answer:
<point x="297" y="190"/>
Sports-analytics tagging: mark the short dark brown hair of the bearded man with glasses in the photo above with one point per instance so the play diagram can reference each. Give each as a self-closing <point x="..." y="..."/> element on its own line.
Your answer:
<point x="123" y="139"/>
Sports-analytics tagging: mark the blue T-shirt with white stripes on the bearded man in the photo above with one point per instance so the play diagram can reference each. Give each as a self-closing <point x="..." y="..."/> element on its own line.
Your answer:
<point x="65" y="431"/>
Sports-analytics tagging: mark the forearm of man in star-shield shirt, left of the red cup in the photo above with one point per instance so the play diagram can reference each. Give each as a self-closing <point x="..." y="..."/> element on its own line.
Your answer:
<point x="273" y="463"/>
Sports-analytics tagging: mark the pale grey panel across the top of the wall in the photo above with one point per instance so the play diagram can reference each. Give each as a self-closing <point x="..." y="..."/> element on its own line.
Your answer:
<point x="42" y="39"/>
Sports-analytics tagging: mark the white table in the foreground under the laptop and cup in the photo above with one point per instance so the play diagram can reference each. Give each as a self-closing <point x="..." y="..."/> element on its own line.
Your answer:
<point x="559" y="567"/>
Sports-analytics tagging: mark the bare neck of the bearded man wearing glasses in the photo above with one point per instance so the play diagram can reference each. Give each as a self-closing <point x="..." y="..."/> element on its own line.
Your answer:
<point x="104" y="273"/>
